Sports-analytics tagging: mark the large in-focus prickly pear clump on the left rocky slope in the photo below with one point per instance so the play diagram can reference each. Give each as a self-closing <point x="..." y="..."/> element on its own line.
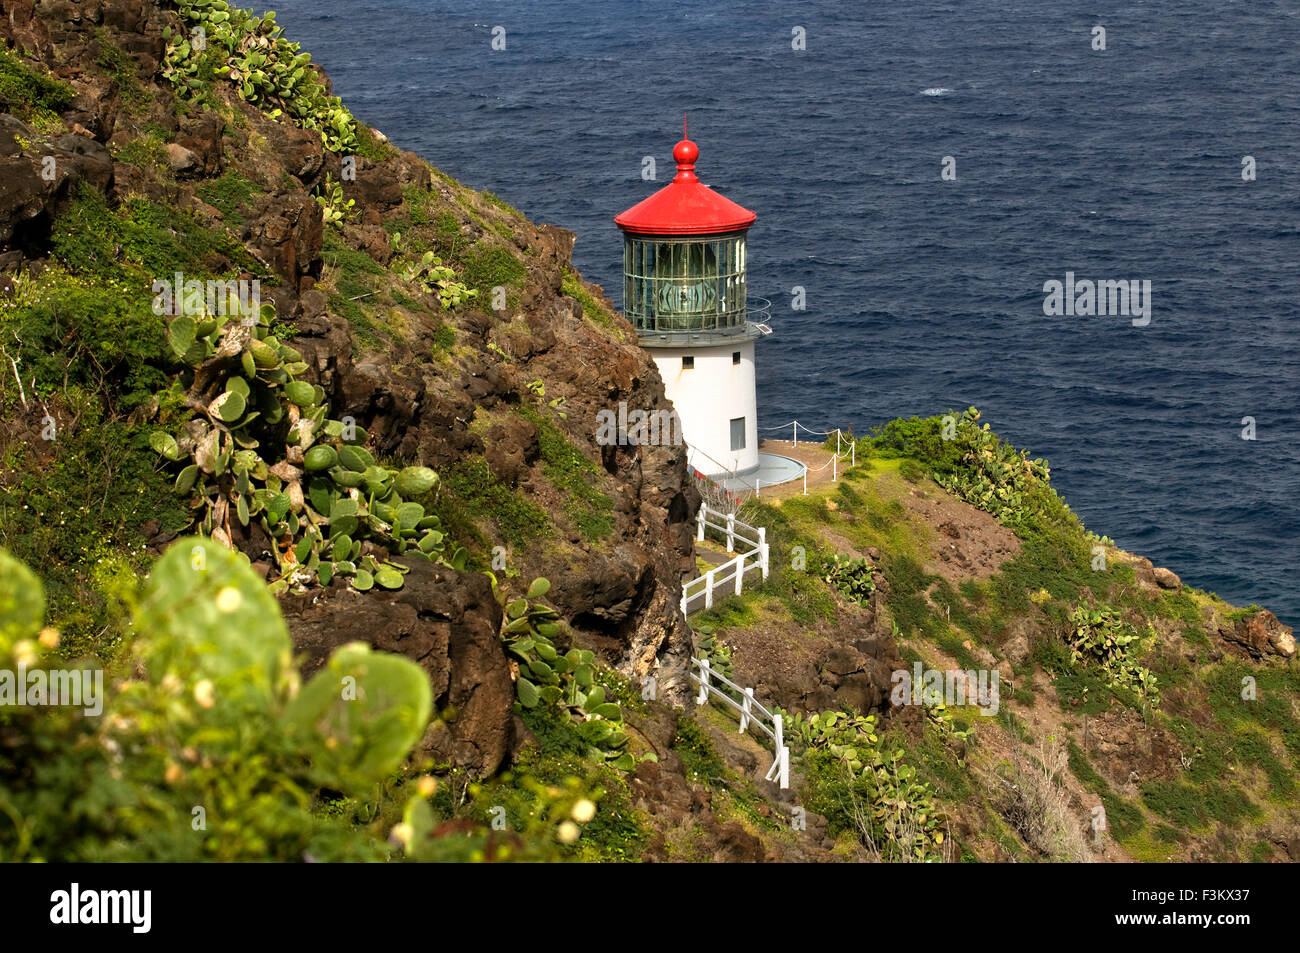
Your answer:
<point x="262" y="449"/>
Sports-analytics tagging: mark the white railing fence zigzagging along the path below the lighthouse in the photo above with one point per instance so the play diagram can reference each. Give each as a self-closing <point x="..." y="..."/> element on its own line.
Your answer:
<point x="752" y="543"/>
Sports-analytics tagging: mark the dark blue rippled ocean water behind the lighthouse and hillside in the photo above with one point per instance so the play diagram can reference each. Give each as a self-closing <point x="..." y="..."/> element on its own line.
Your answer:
<point x="922" y="294"/>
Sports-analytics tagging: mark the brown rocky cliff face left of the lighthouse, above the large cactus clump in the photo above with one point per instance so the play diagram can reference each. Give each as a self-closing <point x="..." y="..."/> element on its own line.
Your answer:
<point x="457" y="391"/>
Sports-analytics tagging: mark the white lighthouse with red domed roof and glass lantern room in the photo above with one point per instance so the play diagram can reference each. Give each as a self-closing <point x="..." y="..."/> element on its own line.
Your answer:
<point x="684" y="292"/>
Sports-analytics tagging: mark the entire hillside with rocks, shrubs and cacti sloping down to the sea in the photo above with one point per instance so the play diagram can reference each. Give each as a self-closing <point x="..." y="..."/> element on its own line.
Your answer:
<point x="414" y="408"/>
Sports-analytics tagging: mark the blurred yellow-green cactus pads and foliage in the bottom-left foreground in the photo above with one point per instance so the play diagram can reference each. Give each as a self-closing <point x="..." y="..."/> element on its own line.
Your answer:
<point x="219" y="755"/>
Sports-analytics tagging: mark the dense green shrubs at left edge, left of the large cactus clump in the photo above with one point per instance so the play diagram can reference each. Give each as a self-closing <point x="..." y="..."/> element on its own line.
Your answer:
<point x="81" y="483"/>
